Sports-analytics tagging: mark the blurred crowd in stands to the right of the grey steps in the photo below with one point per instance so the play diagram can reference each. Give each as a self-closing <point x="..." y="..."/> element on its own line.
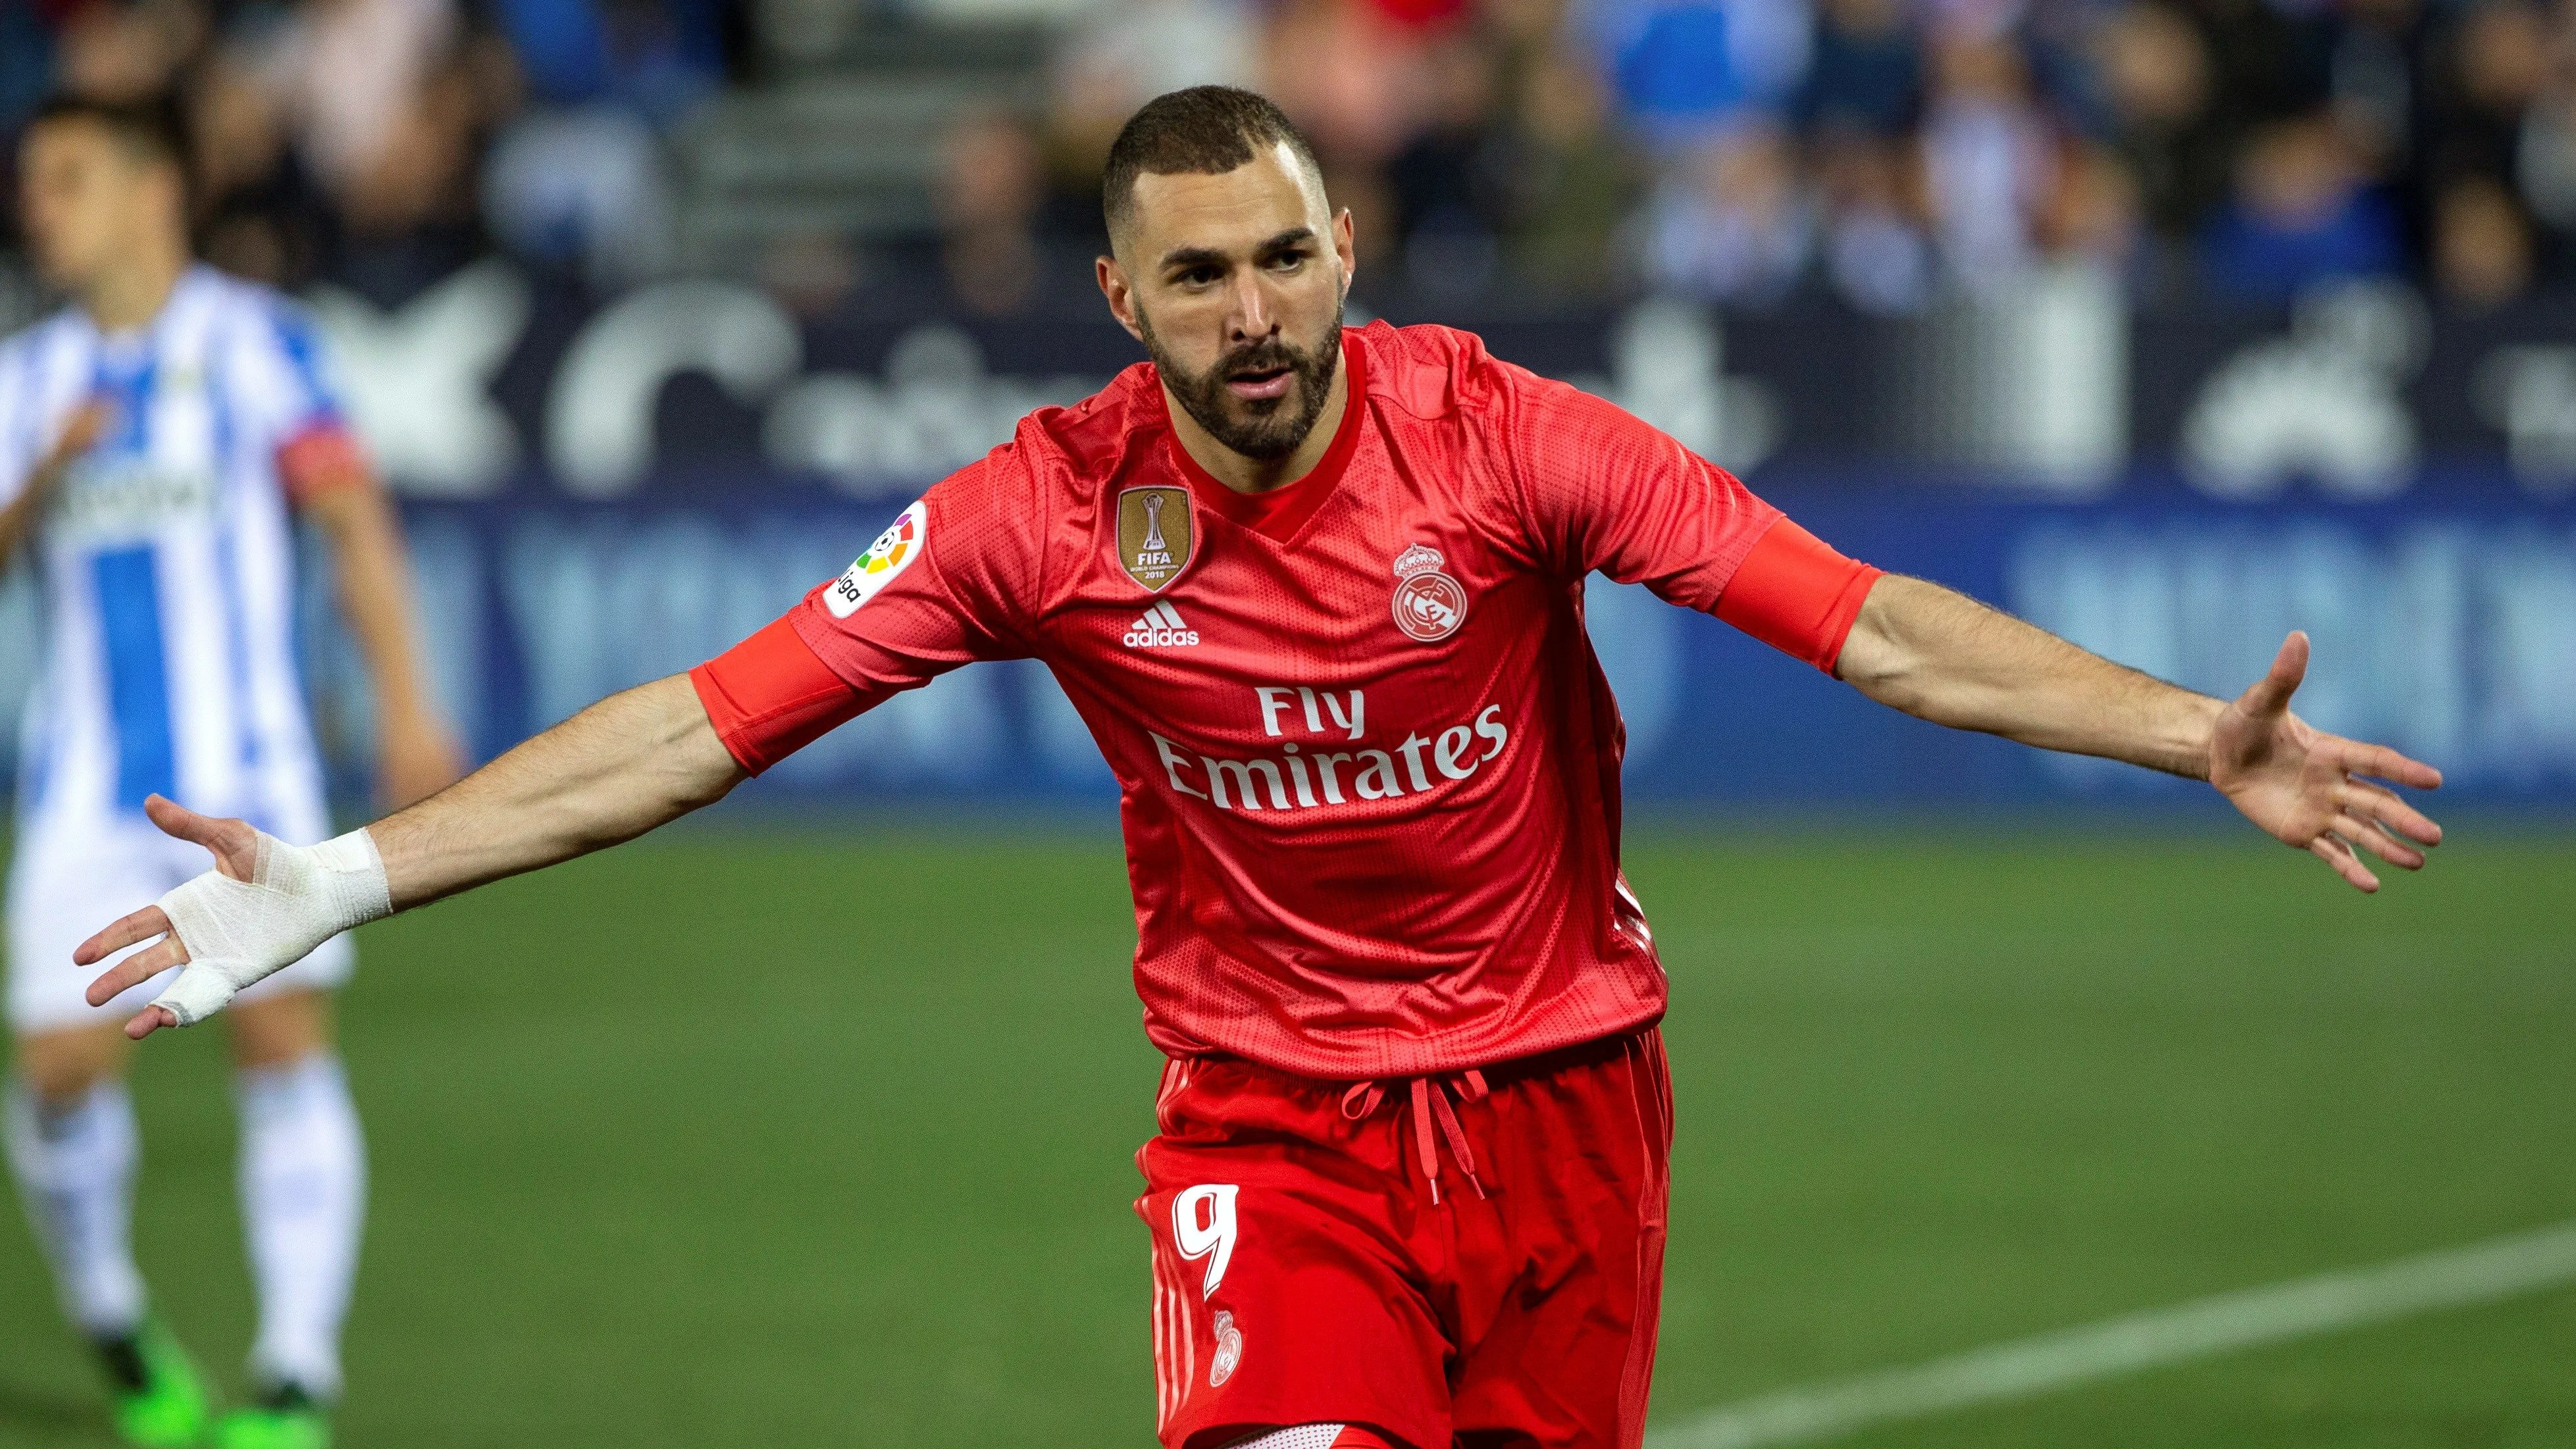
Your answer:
<point x="1887" y="151"/>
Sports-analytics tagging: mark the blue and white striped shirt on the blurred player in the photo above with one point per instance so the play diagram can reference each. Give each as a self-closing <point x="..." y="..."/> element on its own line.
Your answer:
<point x="169" y="560"/>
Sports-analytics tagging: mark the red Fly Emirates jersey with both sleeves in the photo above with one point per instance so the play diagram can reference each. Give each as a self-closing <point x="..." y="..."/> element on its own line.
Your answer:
<point x="1367" y="758"/>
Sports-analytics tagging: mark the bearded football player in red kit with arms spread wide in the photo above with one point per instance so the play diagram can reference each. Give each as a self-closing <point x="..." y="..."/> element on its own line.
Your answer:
<point x="1318" y="596"/>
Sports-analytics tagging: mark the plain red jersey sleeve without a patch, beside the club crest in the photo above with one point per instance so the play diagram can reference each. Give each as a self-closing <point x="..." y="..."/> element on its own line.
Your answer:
<point x="1609" y="493"/>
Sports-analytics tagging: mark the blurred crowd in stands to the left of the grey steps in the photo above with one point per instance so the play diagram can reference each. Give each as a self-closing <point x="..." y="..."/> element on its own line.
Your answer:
<point x="388" y="143"/>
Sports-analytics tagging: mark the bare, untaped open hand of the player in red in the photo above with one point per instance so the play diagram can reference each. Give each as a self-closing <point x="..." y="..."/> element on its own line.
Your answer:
<point x="2312" y="789"/>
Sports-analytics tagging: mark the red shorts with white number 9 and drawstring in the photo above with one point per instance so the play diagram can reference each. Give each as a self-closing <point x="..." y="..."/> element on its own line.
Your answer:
<point x="1307" y="1275"/>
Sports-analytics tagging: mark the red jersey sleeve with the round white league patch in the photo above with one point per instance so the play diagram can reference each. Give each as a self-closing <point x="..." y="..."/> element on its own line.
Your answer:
<point x="944" y="586"/>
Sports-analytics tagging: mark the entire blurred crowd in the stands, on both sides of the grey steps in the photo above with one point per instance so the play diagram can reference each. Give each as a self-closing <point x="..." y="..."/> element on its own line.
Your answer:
<point x="1882" y="153"/>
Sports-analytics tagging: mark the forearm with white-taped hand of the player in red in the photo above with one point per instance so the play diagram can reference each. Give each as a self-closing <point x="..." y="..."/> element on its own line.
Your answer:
<point x="607" y="776"/>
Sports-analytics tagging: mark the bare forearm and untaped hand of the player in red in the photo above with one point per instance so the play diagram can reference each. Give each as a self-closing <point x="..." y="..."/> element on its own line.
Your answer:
<point x="1951" y="660"/>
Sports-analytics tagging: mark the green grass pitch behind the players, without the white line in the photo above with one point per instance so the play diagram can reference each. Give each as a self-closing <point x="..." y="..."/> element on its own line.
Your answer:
<point x="795" y="1139"/>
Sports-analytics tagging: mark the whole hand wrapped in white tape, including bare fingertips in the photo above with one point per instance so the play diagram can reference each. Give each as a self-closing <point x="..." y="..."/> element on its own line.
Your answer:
<point x="264" y="907"/>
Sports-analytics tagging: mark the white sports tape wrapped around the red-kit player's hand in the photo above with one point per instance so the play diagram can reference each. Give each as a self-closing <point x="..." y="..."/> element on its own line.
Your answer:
<point x="241" y="930"/>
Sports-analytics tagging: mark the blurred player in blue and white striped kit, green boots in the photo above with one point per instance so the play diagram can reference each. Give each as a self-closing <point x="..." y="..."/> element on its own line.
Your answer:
<point x="158" y="439"/>
